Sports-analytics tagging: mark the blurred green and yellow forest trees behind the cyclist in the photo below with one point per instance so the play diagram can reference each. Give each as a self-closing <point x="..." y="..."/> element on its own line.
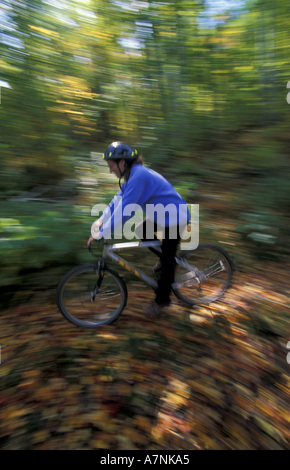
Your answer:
<point x="201" y="94"/>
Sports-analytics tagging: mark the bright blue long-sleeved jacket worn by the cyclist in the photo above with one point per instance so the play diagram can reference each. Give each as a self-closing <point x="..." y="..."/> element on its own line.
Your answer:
<point x="149" y="190"/>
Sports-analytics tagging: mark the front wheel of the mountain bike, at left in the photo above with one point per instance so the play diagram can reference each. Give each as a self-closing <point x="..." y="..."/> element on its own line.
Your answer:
<point x="90" y="299"/>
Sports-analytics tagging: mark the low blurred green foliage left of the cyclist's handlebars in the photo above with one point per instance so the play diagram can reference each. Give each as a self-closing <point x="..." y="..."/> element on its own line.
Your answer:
<point x="39" y="238"/>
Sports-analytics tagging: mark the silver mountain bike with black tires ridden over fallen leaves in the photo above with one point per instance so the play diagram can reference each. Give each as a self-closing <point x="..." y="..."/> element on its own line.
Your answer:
<point x="93" y="295"/>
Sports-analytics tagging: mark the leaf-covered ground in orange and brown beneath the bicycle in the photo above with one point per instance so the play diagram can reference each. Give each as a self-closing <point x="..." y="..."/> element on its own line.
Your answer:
<point x="210" y="378"/>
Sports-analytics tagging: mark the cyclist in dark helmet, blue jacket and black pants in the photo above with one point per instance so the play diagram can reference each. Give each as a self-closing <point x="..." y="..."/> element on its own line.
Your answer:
<point x="146" y="188"/>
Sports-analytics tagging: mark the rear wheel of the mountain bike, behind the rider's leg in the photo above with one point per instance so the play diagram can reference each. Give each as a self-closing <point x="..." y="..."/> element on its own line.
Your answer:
<point x="203" y="275"/>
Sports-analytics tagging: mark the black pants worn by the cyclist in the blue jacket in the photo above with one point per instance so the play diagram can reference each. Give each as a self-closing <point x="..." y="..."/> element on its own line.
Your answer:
<point x="170" y="240"/>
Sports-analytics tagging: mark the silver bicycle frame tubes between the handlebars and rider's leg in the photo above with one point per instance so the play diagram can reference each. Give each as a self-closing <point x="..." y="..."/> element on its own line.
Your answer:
<point x="109" y="252"/>
